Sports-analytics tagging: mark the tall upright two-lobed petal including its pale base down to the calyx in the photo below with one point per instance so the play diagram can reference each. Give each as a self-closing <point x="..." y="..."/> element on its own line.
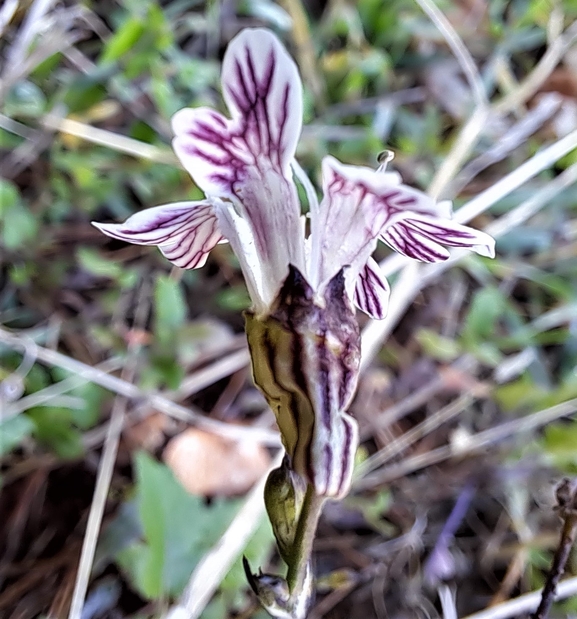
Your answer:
<point x="245" y="160"/>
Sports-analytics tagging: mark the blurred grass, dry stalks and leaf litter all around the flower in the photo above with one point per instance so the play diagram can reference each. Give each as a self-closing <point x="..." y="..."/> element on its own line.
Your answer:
<point x="108" y="358"/>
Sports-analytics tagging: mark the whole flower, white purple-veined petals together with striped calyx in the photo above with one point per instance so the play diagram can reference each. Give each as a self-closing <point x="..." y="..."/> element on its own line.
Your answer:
<point x="302" y="333"/>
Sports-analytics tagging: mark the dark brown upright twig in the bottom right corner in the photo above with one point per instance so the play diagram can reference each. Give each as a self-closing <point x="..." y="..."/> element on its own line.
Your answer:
<point x="567" y="506"/>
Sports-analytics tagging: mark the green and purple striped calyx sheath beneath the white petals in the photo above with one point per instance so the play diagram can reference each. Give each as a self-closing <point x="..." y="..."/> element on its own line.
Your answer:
<point x="305" y="360"/>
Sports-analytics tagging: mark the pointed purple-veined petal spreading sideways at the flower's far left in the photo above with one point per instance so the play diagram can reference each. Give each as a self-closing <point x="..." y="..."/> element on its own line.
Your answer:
<point x="185" y="232"/>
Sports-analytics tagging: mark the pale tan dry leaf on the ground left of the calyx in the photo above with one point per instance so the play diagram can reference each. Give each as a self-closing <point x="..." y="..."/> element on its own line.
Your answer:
<point x="208" y="464"/>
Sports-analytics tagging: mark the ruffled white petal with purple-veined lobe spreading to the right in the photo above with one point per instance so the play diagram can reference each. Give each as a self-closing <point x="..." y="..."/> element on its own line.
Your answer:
<point x="361" y="204"/>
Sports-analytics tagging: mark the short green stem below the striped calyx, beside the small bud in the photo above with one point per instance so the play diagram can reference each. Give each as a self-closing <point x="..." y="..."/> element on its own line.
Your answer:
<point x="303" y="544"/>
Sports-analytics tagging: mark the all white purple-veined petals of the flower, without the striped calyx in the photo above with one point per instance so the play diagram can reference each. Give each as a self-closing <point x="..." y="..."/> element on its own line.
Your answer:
<point x="245" y="167"/>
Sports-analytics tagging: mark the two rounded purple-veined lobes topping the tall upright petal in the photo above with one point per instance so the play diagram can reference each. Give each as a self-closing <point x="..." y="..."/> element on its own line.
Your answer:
<point x="263" y="91"/>
